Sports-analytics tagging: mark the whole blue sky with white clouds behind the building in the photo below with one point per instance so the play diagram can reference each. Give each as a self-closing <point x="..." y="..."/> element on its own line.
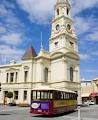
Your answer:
<point x="22" y="21"/>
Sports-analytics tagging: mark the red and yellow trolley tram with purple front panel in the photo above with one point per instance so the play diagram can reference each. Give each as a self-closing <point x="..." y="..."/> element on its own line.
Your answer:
<point x="52" y="101"/>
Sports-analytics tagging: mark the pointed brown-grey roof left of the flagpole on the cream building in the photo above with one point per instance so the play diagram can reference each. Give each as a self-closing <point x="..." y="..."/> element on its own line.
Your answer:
<point x="29" y="54"/>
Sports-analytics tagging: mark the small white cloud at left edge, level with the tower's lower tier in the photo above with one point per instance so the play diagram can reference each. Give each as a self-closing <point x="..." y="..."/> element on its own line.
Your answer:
<point x="11" y="39"/>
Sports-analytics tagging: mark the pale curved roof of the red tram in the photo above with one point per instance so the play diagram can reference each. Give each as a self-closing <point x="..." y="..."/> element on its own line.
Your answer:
<point x="45" y="88"/>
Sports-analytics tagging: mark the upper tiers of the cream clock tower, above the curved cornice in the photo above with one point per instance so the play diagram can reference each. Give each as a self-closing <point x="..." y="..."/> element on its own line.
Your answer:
<point x="63" y="37"/>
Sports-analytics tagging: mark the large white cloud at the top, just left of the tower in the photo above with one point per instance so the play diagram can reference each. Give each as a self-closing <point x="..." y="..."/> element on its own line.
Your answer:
<point x="38" y="10"/>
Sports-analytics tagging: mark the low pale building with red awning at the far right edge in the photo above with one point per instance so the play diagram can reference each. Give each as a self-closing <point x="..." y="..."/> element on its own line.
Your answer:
<point x="89" y="90"/>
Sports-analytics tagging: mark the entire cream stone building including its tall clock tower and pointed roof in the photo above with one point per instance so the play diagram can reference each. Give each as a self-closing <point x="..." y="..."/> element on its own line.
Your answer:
<point x="57" y="68"/>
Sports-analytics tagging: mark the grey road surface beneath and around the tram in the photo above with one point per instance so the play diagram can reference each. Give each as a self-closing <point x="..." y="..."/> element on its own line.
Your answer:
<point x="18" y="113"/>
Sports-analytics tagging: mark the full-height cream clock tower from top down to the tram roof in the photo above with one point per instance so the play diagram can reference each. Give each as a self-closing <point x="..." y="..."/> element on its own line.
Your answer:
<point x="63" y="49"/>
